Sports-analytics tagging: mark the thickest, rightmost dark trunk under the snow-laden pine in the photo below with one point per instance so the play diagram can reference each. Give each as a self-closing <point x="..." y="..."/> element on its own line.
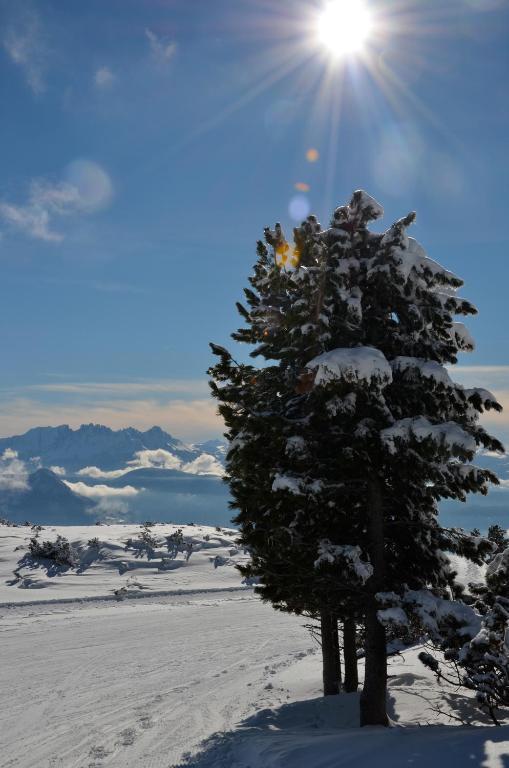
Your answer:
<point x="373" y="703"/>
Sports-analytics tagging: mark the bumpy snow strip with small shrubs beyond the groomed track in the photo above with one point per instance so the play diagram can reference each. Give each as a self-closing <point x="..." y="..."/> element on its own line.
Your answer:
<point x="111" y="567"/>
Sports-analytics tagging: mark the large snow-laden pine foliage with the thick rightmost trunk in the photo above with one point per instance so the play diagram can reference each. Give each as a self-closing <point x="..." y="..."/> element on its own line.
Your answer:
<point x="340" y="451"/>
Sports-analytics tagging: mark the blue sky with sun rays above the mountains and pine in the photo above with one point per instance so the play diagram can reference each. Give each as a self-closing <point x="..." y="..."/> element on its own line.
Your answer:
<point x="146" y="143"/>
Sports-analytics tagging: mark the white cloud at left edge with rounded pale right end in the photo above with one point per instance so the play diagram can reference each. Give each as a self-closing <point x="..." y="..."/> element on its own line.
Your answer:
<point x="86" y="188"/>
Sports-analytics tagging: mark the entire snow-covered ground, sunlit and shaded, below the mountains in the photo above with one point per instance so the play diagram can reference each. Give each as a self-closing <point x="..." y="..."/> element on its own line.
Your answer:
<point x="194" y="672"/>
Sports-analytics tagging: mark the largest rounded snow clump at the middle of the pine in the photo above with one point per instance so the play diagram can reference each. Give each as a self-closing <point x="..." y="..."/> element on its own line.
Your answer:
<point x="352" y="364"/>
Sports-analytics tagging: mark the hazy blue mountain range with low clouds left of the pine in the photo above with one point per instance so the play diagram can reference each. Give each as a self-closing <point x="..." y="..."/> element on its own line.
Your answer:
<point x="59" y="475"/>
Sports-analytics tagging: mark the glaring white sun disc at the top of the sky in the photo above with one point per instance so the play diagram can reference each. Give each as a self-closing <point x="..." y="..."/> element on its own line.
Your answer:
<point x="344" y="26"/>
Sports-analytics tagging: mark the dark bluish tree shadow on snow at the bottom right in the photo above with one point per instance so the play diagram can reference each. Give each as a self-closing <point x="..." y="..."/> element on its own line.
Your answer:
<point x="324" y="733"/>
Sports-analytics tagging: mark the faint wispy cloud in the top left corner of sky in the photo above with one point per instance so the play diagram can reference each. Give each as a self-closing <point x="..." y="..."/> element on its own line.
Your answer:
<point x="24" y="42"/>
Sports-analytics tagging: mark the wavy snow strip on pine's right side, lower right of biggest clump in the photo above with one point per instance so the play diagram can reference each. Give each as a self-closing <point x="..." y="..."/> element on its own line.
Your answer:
<point x="449" y="434"/>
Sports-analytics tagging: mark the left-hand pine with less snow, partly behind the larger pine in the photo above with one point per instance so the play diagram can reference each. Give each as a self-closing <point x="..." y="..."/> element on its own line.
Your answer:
<point x="273" y="445"/>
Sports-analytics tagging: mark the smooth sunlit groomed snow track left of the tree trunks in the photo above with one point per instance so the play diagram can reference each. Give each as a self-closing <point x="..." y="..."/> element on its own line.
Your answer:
<point x="118" y="686"/>
